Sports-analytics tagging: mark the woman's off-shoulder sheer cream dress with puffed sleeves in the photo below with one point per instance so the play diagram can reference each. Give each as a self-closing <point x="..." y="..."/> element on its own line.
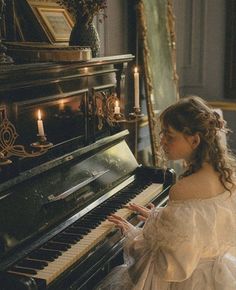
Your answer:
<point x="188" y="245"/>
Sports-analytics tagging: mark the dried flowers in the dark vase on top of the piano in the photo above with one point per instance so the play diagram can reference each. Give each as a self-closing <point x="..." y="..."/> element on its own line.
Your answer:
<point x="85" y="9"/>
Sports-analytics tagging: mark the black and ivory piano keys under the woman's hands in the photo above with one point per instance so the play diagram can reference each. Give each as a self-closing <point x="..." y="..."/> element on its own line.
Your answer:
<point x="70" y="245"/>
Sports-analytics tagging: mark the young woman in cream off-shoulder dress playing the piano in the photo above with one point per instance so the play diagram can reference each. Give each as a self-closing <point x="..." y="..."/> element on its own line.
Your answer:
<point x="191" y="243"/>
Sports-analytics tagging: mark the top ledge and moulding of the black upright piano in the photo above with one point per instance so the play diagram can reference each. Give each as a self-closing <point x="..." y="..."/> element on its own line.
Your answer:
<point x="13" y="77"/>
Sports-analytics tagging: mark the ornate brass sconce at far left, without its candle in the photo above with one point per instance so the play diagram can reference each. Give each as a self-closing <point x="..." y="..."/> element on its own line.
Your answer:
<point x="8" y="148"/>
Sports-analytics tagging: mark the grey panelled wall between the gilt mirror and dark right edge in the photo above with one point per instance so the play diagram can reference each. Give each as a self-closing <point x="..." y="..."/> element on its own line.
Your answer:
<point x="200" y="30"/>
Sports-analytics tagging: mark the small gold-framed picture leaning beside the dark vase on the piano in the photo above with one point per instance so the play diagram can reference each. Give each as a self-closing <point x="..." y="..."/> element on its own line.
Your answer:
<point x="56" y="22"/>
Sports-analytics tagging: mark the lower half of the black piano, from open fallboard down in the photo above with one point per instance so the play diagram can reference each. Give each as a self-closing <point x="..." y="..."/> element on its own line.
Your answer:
<point x="54" y="233"/>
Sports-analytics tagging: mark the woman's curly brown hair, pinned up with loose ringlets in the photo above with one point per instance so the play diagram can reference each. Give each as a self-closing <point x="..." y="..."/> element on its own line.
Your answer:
<point x="191" y="115"/>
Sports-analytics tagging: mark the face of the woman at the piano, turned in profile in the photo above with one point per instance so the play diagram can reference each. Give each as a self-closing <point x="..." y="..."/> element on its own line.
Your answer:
<point x="177" y="145"/>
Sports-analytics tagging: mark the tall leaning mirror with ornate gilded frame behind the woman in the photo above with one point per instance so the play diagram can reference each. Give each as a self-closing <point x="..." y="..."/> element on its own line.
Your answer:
<point x="157" y="38"/>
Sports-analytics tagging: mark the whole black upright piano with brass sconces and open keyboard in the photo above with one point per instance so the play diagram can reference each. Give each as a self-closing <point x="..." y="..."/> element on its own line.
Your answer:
<point x="55" y="199"/>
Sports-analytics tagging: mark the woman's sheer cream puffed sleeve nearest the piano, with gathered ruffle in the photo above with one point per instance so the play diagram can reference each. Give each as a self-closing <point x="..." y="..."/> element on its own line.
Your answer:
<point x="169" y="245"/>
